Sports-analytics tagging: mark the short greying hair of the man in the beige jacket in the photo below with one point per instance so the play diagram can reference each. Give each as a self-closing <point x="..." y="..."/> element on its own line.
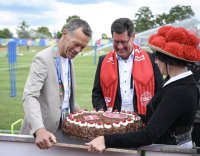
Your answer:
<point x="77" y="23"/>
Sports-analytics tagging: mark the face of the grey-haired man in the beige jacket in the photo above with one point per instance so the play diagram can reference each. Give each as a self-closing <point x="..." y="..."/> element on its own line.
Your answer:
<point x="72" y="44"/>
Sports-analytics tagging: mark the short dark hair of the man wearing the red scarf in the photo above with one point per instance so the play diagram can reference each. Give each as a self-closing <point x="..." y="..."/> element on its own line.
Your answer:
<point x="121" y="25"/>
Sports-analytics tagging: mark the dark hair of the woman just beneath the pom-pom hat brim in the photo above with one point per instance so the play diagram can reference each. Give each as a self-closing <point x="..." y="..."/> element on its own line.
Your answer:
<point x="170" y="60"/>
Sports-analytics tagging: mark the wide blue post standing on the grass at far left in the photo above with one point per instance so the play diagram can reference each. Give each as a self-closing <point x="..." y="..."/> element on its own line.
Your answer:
<point x="12" y="67"/>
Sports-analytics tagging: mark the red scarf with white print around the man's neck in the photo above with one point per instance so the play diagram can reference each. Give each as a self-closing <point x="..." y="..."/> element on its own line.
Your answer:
<point x="142" y="73"/>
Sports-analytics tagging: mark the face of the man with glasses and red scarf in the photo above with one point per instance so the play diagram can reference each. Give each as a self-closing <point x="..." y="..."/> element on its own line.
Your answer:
<point x="122" y="44"/>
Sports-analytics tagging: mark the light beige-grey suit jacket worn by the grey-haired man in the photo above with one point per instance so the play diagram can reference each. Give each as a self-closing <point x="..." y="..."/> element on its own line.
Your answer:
<point x="41" y="100"/>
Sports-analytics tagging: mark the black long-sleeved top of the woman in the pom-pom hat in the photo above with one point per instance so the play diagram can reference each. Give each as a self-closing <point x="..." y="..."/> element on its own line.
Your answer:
<point x="171" y="111"/>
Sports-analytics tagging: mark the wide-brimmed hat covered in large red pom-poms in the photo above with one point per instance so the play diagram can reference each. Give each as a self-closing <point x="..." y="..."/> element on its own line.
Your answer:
<point x="176" y="42"/>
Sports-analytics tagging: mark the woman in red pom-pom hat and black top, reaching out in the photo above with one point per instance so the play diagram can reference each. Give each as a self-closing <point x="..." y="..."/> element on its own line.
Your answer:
<point x="171" y="112"/>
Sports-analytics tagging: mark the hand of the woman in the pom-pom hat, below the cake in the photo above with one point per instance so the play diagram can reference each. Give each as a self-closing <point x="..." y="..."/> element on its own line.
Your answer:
<point x="97" y="145"/>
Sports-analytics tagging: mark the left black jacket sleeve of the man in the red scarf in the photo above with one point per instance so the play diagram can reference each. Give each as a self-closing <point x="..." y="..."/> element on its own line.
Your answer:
<point x="98" y="101"/>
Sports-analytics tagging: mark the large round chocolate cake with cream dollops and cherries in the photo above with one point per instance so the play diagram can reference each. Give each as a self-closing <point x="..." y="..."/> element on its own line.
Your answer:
<point x="90" y="124"/>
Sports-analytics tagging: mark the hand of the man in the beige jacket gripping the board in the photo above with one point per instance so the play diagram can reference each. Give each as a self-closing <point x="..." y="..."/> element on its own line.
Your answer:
<point x="44" y="139"/>
